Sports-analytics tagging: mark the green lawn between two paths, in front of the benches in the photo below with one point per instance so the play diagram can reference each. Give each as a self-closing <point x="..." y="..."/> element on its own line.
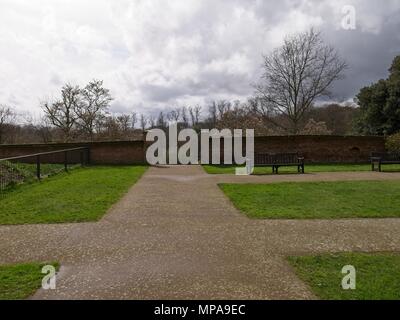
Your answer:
<point x="317" y="200"/>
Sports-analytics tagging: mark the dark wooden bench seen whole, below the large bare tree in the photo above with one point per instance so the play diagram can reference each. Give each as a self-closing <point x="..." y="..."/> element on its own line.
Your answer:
<point x="279" y="160"/>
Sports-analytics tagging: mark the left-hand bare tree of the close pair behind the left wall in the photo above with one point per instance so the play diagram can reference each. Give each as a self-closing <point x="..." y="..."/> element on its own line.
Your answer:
<point x="62" y="112"/>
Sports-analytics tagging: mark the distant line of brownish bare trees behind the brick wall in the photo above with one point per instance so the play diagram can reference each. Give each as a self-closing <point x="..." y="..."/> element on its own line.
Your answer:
<point x="328" y="119"/>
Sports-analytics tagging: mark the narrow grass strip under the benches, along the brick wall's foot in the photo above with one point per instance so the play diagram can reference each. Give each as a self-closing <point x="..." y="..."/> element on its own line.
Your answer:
<point x="311" y="168"/>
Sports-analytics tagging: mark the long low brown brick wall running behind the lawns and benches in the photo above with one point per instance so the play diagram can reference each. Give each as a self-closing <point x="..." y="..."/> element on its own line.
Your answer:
<point x="315" y="149"/>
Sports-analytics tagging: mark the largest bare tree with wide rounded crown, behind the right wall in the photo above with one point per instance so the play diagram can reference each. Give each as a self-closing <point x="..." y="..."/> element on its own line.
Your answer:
<point x="295" y="75"/>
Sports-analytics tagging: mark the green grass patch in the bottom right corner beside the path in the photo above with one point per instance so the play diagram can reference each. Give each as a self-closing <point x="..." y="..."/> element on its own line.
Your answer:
<point x="377" y="275"/>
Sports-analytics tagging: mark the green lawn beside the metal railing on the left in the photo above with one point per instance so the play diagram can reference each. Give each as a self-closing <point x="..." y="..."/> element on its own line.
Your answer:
<point x="84" y="194"/>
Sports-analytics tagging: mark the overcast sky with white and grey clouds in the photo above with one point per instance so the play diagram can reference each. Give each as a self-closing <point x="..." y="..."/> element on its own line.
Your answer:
<point x="156" y="54"/>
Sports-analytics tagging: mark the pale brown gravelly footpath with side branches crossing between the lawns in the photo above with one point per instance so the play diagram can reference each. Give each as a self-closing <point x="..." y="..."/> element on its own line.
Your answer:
<point x="175" y="235"/>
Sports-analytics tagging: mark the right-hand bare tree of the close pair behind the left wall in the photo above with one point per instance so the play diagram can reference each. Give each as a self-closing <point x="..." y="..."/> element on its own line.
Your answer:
<point x="94" y="104"/>
